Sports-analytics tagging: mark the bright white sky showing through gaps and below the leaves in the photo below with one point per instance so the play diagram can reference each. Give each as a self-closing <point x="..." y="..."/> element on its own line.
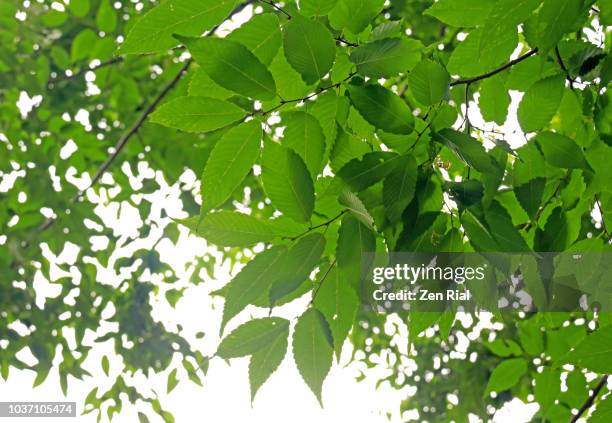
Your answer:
<point x="226" y="395"/>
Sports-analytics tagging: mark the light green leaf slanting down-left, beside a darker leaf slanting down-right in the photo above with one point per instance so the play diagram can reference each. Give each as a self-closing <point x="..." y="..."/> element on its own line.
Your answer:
<point x="230" y="161"/>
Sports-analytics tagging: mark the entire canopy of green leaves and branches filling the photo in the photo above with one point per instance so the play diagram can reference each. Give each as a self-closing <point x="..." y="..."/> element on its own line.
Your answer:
<point x="322" y="130"/>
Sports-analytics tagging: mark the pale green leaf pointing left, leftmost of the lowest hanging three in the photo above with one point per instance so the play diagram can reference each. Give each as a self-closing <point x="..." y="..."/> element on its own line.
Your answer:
<point x="252" y="337"/>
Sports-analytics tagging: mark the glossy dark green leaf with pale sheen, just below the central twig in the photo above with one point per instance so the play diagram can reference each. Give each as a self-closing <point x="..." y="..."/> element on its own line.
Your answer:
<point x="382" y="108"/>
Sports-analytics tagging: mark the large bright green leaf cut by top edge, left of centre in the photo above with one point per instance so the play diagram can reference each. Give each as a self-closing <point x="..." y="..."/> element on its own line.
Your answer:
<point x="154" y="30"/>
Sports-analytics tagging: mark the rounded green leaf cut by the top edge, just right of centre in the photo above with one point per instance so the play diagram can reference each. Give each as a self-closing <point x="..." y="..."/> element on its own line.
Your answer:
<point x="355" y="15"/>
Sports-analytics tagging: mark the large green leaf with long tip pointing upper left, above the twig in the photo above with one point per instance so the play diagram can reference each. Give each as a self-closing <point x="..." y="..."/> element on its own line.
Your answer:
<point x="232" y="66"/>
